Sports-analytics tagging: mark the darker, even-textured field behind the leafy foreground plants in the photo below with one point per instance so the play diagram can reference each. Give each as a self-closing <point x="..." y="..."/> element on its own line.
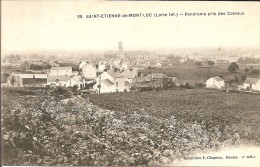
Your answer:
<point x="230" y="112"/>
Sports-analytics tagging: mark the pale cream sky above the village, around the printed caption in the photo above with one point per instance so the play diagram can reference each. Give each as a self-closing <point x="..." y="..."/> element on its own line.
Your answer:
<point x="53" y="25"/>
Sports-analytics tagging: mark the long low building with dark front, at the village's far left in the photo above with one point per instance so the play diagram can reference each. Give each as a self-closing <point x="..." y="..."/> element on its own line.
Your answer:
<point x="22" y="80"/>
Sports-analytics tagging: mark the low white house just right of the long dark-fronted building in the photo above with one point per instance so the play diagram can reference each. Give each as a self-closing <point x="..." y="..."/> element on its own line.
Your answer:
<point x="57" y="80"/>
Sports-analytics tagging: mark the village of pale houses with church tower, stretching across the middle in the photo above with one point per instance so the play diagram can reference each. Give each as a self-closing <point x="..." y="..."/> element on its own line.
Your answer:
<point x="118" y="71"/>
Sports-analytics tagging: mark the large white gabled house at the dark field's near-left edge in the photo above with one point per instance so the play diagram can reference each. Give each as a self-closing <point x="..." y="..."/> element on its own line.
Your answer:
<point x="112" y="81"/>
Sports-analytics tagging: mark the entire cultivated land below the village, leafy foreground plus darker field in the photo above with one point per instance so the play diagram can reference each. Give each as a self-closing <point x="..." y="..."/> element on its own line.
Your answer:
<point x="124" y="129"/>
